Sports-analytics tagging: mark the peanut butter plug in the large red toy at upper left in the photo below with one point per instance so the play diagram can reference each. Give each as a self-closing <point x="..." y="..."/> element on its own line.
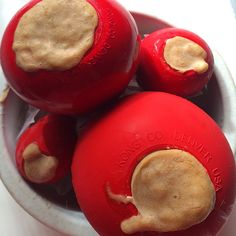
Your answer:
<point x="55" y="34"/>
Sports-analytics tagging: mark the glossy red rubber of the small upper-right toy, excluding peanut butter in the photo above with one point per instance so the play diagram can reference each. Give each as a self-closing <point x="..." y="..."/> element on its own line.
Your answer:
<point x="156" y="74"/>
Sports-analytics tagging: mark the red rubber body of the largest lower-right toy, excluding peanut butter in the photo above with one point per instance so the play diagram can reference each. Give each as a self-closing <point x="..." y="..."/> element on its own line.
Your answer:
<point x="108" y="152"/>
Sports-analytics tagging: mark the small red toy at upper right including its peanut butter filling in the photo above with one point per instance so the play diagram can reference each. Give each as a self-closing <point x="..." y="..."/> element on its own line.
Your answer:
<point x="176" y="61"/>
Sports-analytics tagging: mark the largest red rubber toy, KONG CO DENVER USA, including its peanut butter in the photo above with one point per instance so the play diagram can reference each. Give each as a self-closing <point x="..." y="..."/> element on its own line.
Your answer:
<point x="156" y="163"/>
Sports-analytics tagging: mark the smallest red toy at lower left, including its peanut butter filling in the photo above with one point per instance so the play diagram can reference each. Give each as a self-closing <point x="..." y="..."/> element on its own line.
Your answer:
<point x="44" y="150"/>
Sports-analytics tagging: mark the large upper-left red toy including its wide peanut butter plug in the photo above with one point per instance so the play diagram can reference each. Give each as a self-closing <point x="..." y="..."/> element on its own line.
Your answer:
<point x="56" y="62"/>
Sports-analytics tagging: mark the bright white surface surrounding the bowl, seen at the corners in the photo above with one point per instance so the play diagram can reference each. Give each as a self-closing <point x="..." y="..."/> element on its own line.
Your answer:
<point x="213" y="20"/>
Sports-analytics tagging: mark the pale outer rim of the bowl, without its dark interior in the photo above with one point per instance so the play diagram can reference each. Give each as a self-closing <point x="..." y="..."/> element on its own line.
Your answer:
<point x="73" y="222"/>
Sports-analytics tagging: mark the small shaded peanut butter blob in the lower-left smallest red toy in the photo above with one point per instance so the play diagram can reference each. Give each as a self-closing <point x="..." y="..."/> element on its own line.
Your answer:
<point x="38" y="167"/>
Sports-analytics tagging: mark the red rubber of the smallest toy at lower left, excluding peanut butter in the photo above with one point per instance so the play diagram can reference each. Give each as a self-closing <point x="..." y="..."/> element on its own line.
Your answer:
<point x="55" y="136"/>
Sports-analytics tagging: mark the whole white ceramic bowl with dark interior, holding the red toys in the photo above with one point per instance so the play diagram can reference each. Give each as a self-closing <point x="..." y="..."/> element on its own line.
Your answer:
<point x="218" y="101"/>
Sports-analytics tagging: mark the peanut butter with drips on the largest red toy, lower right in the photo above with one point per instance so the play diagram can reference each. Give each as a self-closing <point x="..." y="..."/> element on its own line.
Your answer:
<point x="171" y="191"/>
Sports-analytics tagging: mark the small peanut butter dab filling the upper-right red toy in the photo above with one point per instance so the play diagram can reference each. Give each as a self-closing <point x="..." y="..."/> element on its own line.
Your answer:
<point x="183" y="55"/>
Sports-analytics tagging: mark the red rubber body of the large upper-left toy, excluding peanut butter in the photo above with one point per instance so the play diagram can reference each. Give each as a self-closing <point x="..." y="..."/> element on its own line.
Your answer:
<point x="102" y="73"/>
